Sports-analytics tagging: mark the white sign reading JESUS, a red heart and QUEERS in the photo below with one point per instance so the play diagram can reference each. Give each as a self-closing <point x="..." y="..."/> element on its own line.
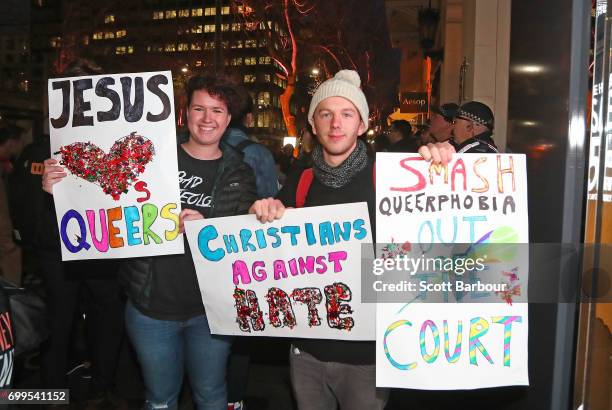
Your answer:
<point x="116" y="138"/>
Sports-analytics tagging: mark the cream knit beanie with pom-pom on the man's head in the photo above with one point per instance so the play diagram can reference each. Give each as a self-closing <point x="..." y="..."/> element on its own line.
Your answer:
<point x="344" y="84"/>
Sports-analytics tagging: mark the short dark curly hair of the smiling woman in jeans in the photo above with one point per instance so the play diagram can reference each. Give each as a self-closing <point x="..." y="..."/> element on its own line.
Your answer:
<point x="220" y="86"/>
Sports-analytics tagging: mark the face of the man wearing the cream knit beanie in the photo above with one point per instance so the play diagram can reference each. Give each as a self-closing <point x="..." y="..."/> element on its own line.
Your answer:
<point x="337" y="124"/>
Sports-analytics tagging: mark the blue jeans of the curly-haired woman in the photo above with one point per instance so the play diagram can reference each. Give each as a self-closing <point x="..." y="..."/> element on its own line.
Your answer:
<point x="166" y="347"/>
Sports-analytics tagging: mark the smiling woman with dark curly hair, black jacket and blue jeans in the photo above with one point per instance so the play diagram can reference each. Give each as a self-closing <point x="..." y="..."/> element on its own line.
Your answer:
<point x="164" y="316"/>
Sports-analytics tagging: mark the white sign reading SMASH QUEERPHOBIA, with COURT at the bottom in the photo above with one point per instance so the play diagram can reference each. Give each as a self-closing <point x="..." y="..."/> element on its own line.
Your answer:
<point x="469" y="208"/>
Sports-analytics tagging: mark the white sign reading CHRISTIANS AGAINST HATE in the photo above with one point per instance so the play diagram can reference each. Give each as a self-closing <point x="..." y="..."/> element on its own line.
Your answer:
<point x="296" y="277"/>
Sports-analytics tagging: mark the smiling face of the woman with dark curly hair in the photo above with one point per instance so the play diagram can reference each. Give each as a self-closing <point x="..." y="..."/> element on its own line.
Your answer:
<point x="207" y="118"/>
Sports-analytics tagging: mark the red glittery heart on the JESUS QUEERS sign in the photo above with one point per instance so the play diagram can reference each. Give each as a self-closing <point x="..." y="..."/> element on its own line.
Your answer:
<point x="113" y="172"/>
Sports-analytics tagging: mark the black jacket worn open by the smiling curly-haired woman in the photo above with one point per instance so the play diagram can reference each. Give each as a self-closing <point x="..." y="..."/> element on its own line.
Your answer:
<point x="234" y="191"/>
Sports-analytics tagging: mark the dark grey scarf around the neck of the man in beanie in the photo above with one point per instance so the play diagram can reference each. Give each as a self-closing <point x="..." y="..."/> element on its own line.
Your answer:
<point x="336" y="177"/>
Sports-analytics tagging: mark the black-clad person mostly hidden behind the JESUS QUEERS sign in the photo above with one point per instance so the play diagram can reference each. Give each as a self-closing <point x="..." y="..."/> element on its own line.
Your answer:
<point x="66" y="283"/>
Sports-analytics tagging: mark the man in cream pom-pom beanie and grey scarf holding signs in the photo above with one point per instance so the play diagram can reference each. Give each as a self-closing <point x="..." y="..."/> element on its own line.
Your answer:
<point x="329" y="373"/>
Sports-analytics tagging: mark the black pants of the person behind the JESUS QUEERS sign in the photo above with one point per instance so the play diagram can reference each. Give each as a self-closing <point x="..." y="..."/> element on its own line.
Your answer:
<point x="64" y="282"/>
